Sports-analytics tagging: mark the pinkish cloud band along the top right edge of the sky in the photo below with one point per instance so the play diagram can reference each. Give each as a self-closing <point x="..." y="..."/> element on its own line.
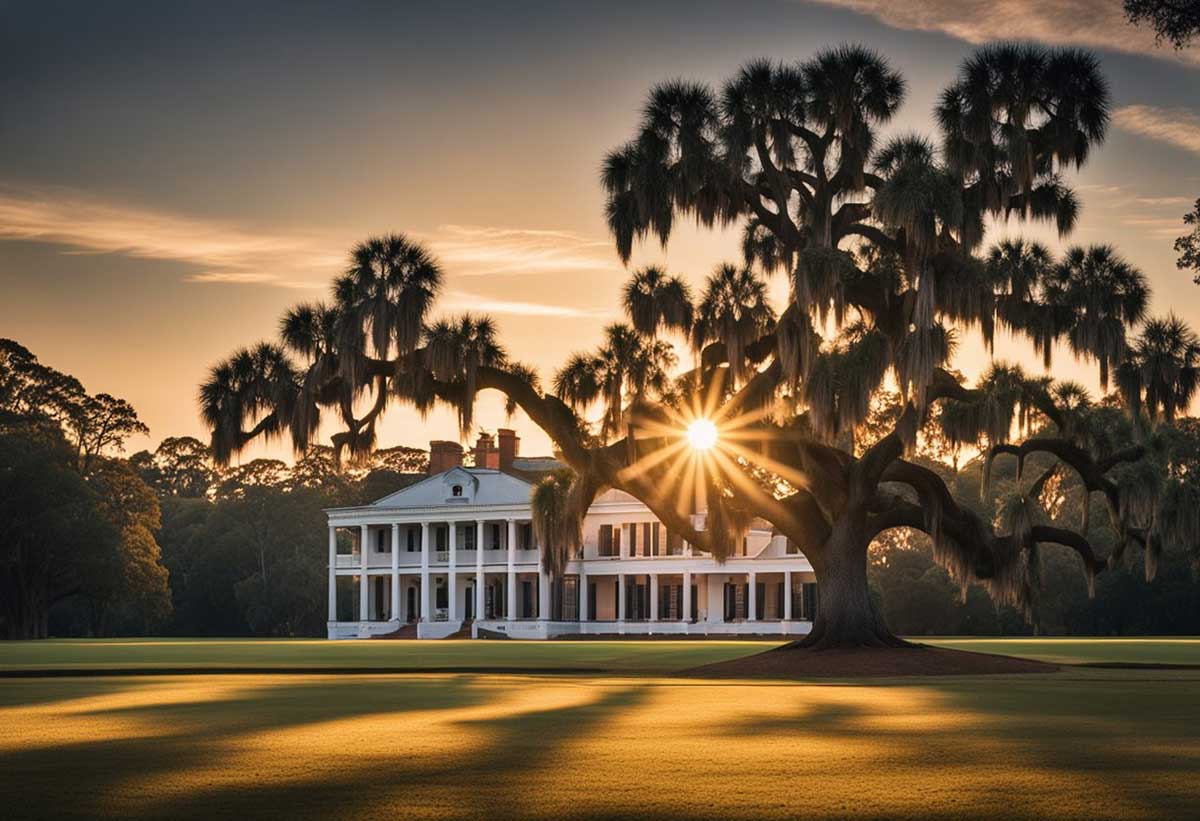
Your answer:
<point x="1093" y="23"/>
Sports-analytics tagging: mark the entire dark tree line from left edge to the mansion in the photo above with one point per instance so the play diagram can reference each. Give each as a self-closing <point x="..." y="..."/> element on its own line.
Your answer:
<point x="163" y="543"/>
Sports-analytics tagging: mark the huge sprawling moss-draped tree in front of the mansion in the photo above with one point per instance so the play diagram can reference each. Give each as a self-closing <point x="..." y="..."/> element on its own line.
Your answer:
<point x="883" y="244"/>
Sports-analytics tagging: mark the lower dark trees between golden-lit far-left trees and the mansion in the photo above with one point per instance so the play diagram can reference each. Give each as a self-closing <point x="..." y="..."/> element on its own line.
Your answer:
<point x="248" y="548"/>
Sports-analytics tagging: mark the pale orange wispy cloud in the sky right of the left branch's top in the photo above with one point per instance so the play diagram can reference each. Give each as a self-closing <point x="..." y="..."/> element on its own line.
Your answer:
<point x="481" y="250"/>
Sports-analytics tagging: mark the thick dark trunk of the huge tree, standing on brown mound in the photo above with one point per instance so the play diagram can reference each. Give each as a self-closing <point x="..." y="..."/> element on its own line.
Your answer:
<point x="845" y="616"/>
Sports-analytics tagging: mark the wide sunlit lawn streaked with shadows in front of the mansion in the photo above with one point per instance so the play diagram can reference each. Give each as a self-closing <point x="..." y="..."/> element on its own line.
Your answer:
<point x="1084" y="742"/>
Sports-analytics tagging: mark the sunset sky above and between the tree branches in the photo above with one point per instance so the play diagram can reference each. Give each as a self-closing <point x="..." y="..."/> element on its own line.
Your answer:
<point x="175" y="176"/>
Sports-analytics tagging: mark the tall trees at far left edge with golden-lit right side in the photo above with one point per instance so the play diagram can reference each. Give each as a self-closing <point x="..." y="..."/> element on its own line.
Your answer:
<point x="76" y="523"/>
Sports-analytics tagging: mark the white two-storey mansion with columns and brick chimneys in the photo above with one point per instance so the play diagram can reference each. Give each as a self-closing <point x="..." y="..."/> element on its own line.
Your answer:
<point x="458" y="549"/>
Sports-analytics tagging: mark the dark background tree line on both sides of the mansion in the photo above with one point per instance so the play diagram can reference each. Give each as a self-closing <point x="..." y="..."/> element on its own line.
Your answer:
<point x="161" y="543"/>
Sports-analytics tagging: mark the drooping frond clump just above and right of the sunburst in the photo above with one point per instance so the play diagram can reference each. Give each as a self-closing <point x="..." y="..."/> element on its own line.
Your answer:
<point x="734" y="310"/>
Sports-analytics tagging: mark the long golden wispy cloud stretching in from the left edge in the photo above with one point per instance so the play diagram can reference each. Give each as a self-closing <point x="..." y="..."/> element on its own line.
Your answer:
<point x="223" y="253"/>
